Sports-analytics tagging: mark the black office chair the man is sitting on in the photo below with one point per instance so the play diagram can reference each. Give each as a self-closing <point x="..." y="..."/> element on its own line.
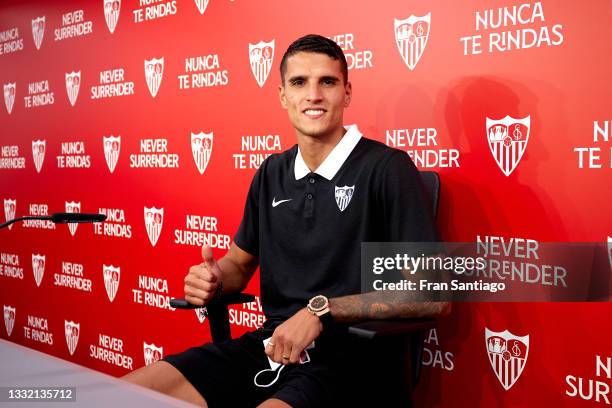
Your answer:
<point x="391" y="346"/>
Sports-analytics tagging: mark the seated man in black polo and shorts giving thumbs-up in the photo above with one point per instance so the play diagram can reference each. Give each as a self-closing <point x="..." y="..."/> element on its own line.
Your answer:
<point x="307" y="212"/>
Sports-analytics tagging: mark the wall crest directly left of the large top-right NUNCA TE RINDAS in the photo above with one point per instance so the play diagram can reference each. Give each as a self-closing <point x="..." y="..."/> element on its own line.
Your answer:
<point x="411" y="37"/>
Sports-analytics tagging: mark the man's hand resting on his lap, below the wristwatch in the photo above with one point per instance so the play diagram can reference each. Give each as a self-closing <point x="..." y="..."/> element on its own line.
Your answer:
<point x="293" y="336"/>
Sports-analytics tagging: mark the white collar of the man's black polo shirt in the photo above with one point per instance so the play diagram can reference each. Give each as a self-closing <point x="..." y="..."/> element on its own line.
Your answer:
<point x="334" y="160"/>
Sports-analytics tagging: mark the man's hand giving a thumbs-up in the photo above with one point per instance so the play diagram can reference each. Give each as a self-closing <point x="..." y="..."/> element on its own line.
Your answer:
<point x="202" y="280"/>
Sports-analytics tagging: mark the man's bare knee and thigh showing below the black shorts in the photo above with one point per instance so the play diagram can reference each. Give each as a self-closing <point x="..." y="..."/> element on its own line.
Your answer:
<point x="163" y="377"/>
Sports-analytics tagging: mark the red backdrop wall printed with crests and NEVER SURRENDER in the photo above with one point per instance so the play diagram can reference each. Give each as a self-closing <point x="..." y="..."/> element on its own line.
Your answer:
<point x="158" y="113"/>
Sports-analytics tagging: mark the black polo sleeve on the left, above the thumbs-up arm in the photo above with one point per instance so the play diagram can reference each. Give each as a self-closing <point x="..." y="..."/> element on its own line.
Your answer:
<point x="247" y="237"/>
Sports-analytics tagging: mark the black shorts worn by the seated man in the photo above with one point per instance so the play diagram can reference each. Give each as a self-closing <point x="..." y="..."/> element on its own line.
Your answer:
<point x="224" y="373"/>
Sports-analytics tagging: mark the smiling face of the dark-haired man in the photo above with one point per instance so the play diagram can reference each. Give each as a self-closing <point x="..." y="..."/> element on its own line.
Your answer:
<point x="314" y="94"/>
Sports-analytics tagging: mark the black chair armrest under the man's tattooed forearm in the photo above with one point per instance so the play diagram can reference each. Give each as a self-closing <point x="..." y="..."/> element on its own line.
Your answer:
<point x="372" y="329"/>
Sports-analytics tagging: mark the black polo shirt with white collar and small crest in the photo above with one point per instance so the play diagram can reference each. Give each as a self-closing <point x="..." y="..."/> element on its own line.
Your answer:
<point x="306" y="227"/>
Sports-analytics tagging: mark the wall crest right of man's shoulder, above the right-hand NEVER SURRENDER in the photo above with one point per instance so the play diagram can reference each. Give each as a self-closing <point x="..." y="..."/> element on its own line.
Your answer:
<point x="508" y="139"/>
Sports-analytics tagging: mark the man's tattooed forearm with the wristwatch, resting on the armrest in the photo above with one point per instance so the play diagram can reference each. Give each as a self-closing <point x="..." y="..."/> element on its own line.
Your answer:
<point x="382" y="305"/>
